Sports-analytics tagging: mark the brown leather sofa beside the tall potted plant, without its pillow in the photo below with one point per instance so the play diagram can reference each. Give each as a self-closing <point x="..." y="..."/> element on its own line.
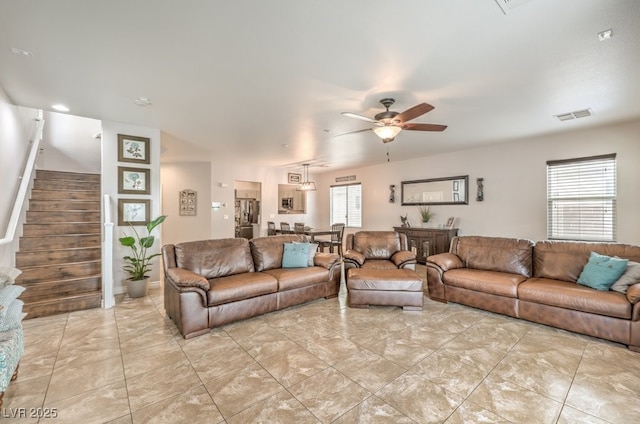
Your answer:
<point x="214" y="282"/>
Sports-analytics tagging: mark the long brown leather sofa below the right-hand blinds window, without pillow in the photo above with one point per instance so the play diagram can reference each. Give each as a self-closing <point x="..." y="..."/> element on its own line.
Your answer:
<point x="537" y="282"/>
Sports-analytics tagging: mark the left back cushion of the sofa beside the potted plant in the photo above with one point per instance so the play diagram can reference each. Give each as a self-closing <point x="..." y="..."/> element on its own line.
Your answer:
<point x="215" y="258"/>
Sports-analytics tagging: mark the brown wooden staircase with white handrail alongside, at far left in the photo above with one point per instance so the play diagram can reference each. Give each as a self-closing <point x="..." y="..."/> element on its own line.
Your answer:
<point x="60" y="250"/>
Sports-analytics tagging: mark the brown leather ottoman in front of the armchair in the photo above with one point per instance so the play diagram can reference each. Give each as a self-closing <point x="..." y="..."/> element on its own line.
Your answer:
<point x="388" y="287"/>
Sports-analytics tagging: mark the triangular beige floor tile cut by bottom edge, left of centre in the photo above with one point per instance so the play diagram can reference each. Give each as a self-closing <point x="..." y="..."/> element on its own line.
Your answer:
<point x="279" y="408"/>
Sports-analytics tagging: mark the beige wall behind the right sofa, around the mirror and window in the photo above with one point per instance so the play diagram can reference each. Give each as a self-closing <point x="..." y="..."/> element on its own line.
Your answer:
<point x="514" y="179"/>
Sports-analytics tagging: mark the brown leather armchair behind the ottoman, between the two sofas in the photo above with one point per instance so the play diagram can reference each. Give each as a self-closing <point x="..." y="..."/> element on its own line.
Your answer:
<point x="378" y="250"/>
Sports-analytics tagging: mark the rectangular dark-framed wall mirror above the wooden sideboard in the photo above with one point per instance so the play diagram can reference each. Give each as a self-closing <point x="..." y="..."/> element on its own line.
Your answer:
<point x="436" y="191"/>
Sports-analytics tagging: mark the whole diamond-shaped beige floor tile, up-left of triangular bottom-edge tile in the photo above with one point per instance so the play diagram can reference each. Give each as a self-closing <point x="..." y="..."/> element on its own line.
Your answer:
<point x="234" y="392"/>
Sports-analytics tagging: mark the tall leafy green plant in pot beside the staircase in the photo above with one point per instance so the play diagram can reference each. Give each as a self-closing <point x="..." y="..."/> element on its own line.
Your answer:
<point x="139" y="262"/>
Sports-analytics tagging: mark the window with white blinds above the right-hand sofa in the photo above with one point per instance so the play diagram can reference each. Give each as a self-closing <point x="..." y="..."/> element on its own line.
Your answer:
<point x="581" y="199"/>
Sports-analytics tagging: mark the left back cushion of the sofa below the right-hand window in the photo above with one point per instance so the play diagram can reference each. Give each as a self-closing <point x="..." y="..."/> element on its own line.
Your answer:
<point x="513" y="256"/>
